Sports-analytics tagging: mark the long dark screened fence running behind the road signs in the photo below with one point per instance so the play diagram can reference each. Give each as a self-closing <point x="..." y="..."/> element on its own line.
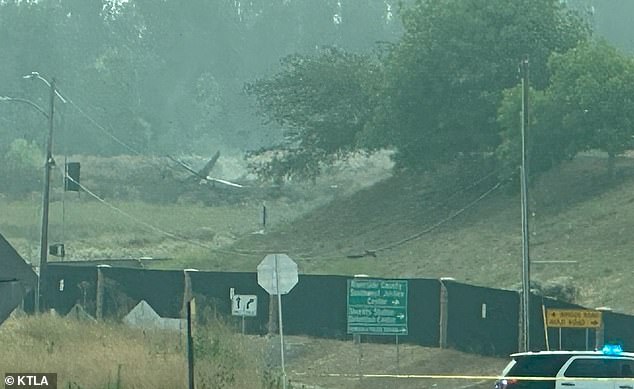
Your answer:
<point x="476" y="319"/>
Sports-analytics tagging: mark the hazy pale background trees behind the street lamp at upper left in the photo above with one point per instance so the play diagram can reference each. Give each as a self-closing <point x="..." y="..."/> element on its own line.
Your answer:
<point x="164" y="76"/>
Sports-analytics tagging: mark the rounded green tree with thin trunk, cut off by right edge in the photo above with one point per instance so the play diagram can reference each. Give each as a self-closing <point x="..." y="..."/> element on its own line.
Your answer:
<point x="593" y="91"/>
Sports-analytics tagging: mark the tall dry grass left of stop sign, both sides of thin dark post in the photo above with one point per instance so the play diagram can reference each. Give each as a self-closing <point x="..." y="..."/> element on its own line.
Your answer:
<point x="108" y="355"/>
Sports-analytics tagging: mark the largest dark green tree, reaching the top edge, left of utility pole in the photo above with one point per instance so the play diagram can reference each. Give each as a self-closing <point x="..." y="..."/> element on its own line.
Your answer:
<point x="444" y="79"/>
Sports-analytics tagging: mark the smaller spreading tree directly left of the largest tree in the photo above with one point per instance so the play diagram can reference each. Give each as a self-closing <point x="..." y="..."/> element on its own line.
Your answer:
<point x="321" y="102"/>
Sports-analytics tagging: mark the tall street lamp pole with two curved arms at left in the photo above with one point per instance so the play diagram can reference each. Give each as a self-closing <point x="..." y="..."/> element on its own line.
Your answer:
<point x="48" y="166"/>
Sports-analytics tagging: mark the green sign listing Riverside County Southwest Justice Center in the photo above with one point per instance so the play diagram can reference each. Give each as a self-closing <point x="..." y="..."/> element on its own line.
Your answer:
<point x="377" y="307"/>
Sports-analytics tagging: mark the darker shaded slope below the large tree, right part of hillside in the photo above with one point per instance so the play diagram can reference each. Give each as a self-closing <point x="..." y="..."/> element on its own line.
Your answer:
<point x="578" y="215"/>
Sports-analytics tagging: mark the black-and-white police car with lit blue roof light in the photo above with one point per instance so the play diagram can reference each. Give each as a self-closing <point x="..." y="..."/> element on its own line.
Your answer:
<point x="609" y="368"/>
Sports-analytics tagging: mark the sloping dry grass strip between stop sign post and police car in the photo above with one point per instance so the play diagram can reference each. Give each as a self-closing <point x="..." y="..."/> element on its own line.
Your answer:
<point x="311" y="361"/>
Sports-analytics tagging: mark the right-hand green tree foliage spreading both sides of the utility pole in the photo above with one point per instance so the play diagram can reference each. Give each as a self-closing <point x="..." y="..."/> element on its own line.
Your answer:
<point x="588" y="105"/>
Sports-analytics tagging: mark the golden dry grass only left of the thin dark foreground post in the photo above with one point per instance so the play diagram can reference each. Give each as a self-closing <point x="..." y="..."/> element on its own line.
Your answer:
<point x="89" y="355"/>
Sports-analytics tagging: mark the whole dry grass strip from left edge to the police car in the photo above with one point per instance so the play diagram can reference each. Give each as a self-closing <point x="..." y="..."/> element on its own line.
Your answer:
<point x="108" y="355"/>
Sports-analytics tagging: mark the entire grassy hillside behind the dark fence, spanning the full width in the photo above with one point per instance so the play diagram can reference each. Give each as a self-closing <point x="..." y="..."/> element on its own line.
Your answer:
<point x="453" y="222"/>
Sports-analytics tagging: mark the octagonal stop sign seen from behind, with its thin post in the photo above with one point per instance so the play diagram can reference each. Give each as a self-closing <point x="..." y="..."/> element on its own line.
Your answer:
<point x="277" y="274"/>
